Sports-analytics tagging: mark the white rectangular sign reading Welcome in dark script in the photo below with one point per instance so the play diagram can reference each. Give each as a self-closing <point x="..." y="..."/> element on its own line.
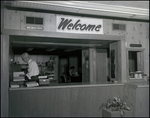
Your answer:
<point x="69" y="24"/>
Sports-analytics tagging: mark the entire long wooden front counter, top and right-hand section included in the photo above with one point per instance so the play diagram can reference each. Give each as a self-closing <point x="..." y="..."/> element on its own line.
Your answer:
<point x="76" y="99"/>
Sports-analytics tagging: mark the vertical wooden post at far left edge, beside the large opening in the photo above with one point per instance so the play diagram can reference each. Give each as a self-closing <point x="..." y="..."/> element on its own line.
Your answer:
<point x="4" y="75"/>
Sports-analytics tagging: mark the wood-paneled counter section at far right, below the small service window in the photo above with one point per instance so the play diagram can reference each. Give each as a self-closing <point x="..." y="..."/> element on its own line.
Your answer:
<point x="138" y="99"/>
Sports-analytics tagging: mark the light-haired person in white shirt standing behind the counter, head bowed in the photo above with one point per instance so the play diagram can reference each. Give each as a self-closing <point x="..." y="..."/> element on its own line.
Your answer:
<point x="33" y="70"/>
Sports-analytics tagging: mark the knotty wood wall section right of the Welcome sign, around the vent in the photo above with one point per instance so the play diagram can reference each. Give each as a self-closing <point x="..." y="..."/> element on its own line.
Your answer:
<point x="136" y="33"/>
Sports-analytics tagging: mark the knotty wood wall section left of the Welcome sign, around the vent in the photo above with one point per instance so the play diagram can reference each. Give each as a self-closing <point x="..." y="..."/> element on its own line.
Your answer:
<point x="16" y="20"/>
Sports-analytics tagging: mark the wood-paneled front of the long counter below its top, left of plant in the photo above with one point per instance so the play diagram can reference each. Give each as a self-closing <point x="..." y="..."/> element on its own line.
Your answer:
<point x="62" y="102"/>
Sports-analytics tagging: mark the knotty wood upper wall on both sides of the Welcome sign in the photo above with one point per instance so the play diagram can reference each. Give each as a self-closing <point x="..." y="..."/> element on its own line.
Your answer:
<point x="136" y="32"/>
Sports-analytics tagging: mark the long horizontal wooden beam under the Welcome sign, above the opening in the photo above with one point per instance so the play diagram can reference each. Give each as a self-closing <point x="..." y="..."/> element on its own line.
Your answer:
<point x="62" y="35"/>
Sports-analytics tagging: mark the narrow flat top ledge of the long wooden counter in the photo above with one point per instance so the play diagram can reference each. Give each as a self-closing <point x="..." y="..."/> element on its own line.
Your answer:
<point x="69" y="85"/>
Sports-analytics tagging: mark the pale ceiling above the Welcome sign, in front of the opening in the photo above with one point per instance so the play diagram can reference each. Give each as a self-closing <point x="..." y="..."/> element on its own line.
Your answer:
<point x="121" y="9"/>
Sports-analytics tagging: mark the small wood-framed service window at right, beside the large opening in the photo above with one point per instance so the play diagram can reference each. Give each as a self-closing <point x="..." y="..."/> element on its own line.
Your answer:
<point x="135" y="63"/>
